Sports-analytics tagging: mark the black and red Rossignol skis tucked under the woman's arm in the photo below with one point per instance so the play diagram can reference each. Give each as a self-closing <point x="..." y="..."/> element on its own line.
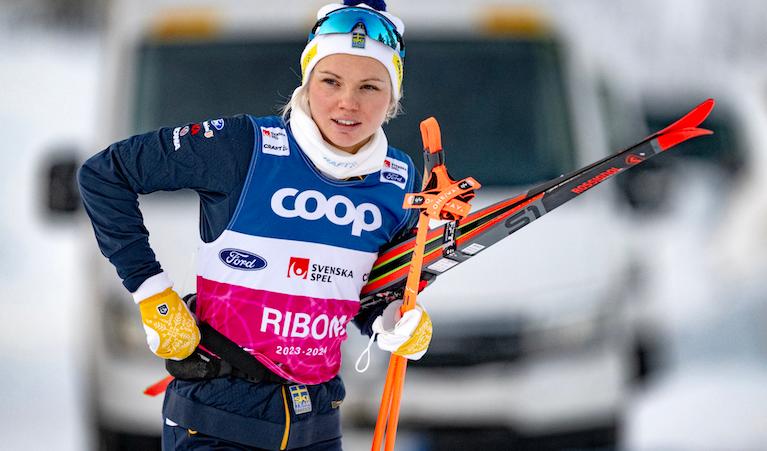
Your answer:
<point x="455" y="242"/>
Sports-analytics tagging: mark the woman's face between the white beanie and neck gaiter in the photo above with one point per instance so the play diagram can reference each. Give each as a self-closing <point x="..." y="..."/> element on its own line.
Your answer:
<point x="349" y="96"/>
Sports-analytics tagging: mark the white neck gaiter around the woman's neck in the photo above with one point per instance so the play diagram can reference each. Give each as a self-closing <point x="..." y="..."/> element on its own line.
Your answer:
<point x="331" y="161"/>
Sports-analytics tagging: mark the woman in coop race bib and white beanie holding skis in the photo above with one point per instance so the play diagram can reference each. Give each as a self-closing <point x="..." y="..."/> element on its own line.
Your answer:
<point x="293" y="212"/>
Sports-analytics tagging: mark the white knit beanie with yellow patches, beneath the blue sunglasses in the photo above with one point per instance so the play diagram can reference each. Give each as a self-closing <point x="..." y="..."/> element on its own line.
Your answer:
<point x="328" y="44"/>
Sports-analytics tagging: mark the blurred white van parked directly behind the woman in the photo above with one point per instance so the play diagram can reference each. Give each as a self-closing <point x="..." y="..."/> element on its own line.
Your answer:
<point x="530" y="341"/>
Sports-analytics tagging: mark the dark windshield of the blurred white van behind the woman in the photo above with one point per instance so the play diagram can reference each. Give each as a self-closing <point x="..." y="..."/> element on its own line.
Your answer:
<point x="501" y="103"/>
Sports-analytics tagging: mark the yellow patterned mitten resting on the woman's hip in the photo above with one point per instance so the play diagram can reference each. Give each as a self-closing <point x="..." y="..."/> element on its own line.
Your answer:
<point x="171" y="330"/>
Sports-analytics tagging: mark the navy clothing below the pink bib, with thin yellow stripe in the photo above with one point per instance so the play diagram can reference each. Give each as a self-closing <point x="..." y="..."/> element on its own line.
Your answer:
<point x="233" y="413"/>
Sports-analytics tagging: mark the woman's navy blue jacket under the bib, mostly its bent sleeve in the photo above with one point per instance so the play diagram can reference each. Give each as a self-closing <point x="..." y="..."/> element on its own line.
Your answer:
<point x="168" y="159"/>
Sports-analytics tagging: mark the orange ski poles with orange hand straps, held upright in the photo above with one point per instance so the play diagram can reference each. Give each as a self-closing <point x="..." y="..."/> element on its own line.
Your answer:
<point x="441" y="198"/>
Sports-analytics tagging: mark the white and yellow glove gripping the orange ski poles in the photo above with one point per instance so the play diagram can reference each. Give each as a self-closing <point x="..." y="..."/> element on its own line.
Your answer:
<point x="407" y="335"/>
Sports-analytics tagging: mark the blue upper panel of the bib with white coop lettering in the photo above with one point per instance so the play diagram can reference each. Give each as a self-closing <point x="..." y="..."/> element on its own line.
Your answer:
<point x="286" y="197"/>
